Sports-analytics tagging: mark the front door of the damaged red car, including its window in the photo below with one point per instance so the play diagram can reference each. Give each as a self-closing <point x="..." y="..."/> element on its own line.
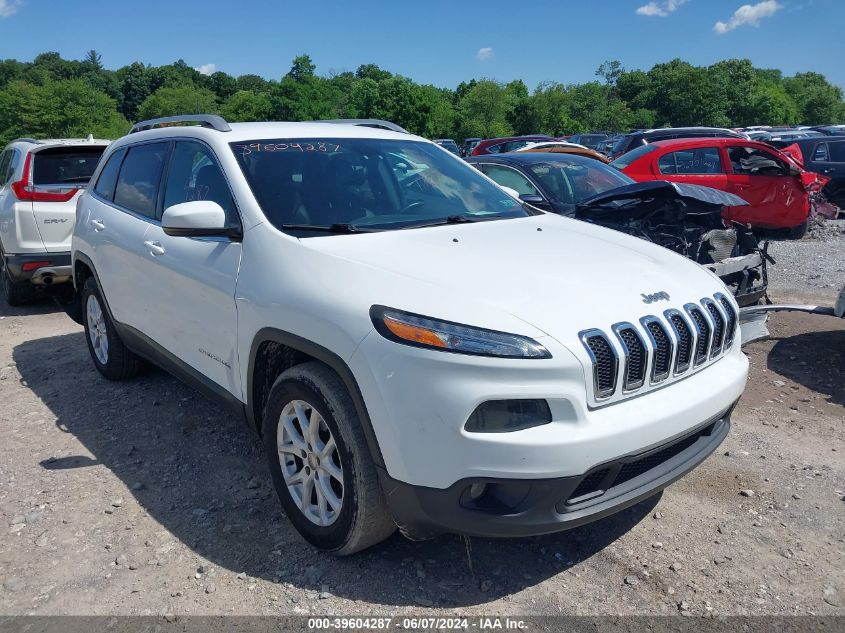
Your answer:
<point x="776" y="199"/>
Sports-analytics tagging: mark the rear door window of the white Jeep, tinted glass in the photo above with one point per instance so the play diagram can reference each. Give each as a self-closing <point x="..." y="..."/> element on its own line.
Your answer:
<point x="140" y="176"/>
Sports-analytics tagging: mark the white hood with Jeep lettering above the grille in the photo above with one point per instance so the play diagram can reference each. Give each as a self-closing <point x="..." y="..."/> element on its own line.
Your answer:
<point x="559" y="275"/>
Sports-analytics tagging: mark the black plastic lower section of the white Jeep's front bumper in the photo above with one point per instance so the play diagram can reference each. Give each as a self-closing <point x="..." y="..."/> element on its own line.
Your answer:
<point x="526" y="507"/>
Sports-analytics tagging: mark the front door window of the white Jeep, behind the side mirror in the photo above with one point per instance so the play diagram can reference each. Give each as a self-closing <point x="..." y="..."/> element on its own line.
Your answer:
<point x="193" y="174"/>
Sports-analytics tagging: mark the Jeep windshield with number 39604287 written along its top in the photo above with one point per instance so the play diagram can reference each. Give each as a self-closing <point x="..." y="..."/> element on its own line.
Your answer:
<point x="366" y="184"/>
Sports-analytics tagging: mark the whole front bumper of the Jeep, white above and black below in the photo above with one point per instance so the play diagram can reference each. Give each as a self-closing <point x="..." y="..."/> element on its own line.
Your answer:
<point x="584" y="464"/>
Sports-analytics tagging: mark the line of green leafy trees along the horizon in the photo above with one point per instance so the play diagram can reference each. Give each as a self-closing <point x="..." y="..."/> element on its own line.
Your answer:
<point x="56" y="97"/>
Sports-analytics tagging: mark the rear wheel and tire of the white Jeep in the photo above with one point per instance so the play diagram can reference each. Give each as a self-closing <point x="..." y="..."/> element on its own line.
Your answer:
<point x="111" y="357"/>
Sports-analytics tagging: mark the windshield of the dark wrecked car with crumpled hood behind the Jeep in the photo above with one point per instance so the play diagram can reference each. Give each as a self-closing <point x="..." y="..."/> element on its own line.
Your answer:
<point x="572" y="179"/>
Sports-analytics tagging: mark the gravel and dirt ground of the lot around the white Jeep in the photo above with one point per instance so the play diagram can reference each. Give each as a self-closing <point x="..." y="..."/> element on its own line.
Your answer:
<point x="144" y="498"/>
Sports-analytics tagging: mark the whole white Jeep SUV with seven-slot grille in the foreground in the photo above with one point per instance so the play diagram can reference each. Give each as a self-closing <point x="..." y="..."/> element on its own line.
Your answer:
<point x="417" y="348"/>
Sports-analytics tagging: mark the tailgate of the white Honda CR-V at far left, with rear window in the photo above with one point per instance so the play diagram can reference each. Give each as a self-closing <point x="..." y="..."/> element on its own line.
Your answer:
<point x="58" y="176"/>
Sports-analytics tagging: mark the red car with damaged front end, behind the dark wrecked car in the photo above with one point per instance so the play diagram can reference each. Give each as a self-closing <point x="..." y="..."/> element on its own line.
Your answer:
<point x="776" y="187"/>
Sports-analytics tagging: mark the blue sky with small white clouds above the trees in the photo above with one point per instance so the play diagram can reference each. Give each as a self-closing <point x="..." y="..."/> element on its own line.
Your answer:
<point x="435" y="41"/>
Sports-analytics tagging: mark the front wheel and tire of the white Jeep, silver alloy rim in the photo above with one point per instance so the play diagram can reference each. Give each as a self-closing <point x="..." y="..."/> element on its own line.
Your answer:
<point x="320" y="462"/>
